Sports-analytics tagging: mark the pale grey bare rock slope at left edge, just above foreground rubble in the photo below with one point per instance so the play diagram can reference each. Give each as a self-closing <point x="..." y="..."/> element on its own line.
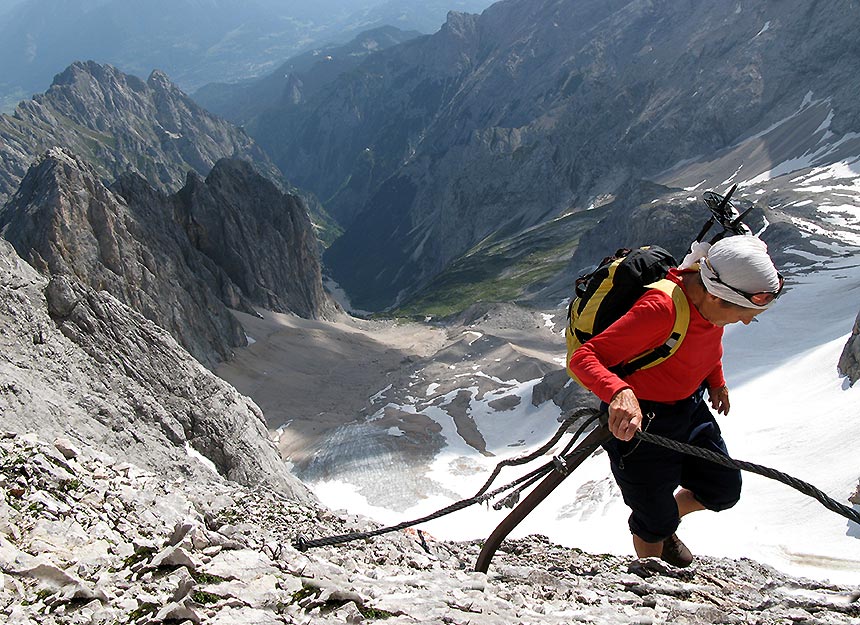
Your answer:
<point x="78" y="363"/>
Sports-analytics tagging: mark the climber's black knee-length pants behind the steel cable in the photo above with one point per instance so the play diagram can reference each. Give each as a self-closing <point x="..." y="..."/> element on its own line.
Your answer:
<point x="648" y="475"/>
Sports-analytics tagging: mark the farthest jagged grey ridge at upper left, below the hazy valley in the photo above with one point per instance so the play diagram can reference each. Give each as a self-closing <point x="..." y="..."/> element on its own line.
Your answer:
<point x="120" y="123"/>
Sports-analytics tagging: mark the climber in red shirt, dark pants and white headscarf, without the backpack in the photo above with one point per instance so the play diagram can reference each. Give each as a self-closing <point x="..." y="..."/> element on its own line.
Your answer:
<point x="733" y="282"/>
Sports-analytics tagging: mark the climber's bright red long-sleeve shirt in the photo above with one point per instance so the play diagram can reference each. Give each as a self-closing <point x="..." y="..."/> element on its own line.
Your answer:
<point x="645" y="326"/>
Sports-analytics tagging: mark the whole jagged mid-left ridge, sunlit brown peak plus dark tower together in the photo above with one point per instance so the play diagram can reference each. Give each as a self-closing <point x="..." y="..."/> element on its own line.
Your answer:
<point x="233" y="240"/>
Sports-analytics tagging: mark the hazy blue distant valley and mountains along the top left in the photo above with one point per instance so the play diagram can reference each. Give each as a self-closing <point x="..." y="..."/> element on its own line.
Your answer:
<point x="194" y="41"/>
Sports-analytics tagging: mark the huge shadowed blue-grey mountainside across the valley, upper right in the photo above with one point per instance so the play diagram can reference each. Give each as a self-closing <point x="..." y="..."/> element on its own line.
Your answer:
<point x="505" y="121"/>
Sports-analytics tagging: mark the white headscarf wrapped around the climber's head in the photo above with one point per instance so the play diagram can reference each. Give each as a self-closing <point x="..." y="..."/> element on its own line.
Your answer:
<point x="740" y="261"/>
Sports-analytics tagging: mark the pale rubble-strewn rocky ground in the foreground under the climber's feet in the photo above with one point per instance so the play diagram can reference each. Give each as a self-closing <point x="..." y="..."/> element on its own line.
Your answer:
<point x="86" y="538"/>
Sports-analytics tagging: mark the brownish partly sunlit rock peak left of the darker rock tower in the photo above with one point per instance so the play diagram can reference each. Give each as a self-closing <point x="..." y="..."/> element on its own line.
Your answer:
<point x="65" y="222"/>
